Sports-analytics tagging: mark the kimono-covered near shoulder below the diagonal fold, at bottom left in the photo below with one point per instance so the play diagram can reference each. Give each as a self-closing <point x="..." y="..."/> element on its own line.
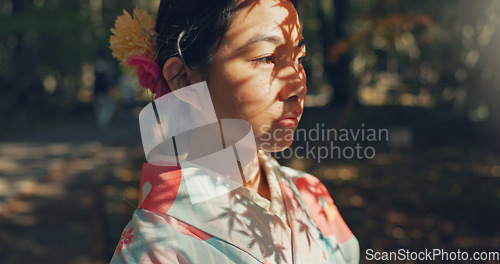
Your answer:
<point x="151" y="237"/>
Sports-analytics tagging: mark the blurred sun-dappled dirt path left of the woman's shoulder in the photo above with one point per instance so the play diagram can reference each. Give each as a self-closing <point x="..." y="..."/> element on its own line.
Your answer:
<point x="52" y="205"/>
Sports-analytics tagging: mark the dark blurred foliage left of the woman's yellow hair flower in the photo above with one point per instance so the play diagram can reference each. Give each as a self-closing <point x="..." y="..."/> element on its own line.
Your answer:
<point x="50" y="40"/>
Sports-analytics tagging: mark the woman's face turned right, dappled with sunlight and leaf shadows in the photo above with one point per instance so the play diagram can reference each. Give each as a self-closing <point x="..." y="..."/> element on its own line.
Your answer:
<point x="257" y="73"/>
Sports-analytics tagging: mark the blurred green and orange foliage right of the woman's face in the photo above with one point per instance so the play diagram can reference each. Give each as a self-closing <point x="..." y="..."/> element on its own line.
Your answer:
<point x="433" y="54"/>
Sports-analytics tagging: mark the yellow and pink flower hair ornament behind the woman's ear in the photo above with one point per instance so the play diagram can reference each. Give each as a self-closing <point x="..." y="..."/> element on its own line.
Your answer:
<point x="133" y="43"/>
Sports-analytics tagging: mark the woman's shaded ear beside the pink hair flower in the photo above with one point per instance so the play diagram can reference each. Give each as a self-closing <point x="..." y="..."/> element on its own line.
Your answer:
<point x="178" y="75"/>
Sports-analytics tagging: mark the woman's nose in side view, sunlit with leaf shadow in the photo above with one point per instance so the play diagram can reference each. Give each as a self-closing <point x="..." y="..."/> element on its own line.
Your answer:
<point x="293" y="81"/>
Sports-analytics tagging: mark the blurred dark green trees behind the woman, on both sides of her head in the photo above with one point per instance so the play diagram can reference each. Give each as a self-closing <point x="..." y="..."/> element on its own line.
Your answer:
<point x="445" y="50"/>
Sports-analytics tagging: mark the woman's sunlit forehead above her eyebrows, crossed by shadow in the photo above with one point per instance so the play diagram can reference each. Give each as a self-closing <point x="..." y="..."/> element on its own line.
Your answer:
<point x="263" y="16"/>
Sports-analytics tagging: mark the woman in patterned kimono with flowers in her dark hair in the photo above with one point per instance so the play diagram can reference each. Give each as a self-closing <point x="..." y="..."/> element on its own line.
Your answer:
<point x="249" y="53"/>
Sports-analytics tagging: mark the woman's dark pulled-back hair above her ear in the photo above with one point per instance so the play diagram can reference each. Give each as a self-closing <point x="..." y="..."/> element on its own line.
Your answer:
<point x="192" y="30"/>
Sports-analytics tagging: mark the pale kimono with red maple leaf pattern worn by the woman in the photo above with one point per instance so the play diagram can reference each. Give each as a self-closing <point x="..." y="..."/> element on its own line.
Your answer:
<point x="236" y="227"/>
